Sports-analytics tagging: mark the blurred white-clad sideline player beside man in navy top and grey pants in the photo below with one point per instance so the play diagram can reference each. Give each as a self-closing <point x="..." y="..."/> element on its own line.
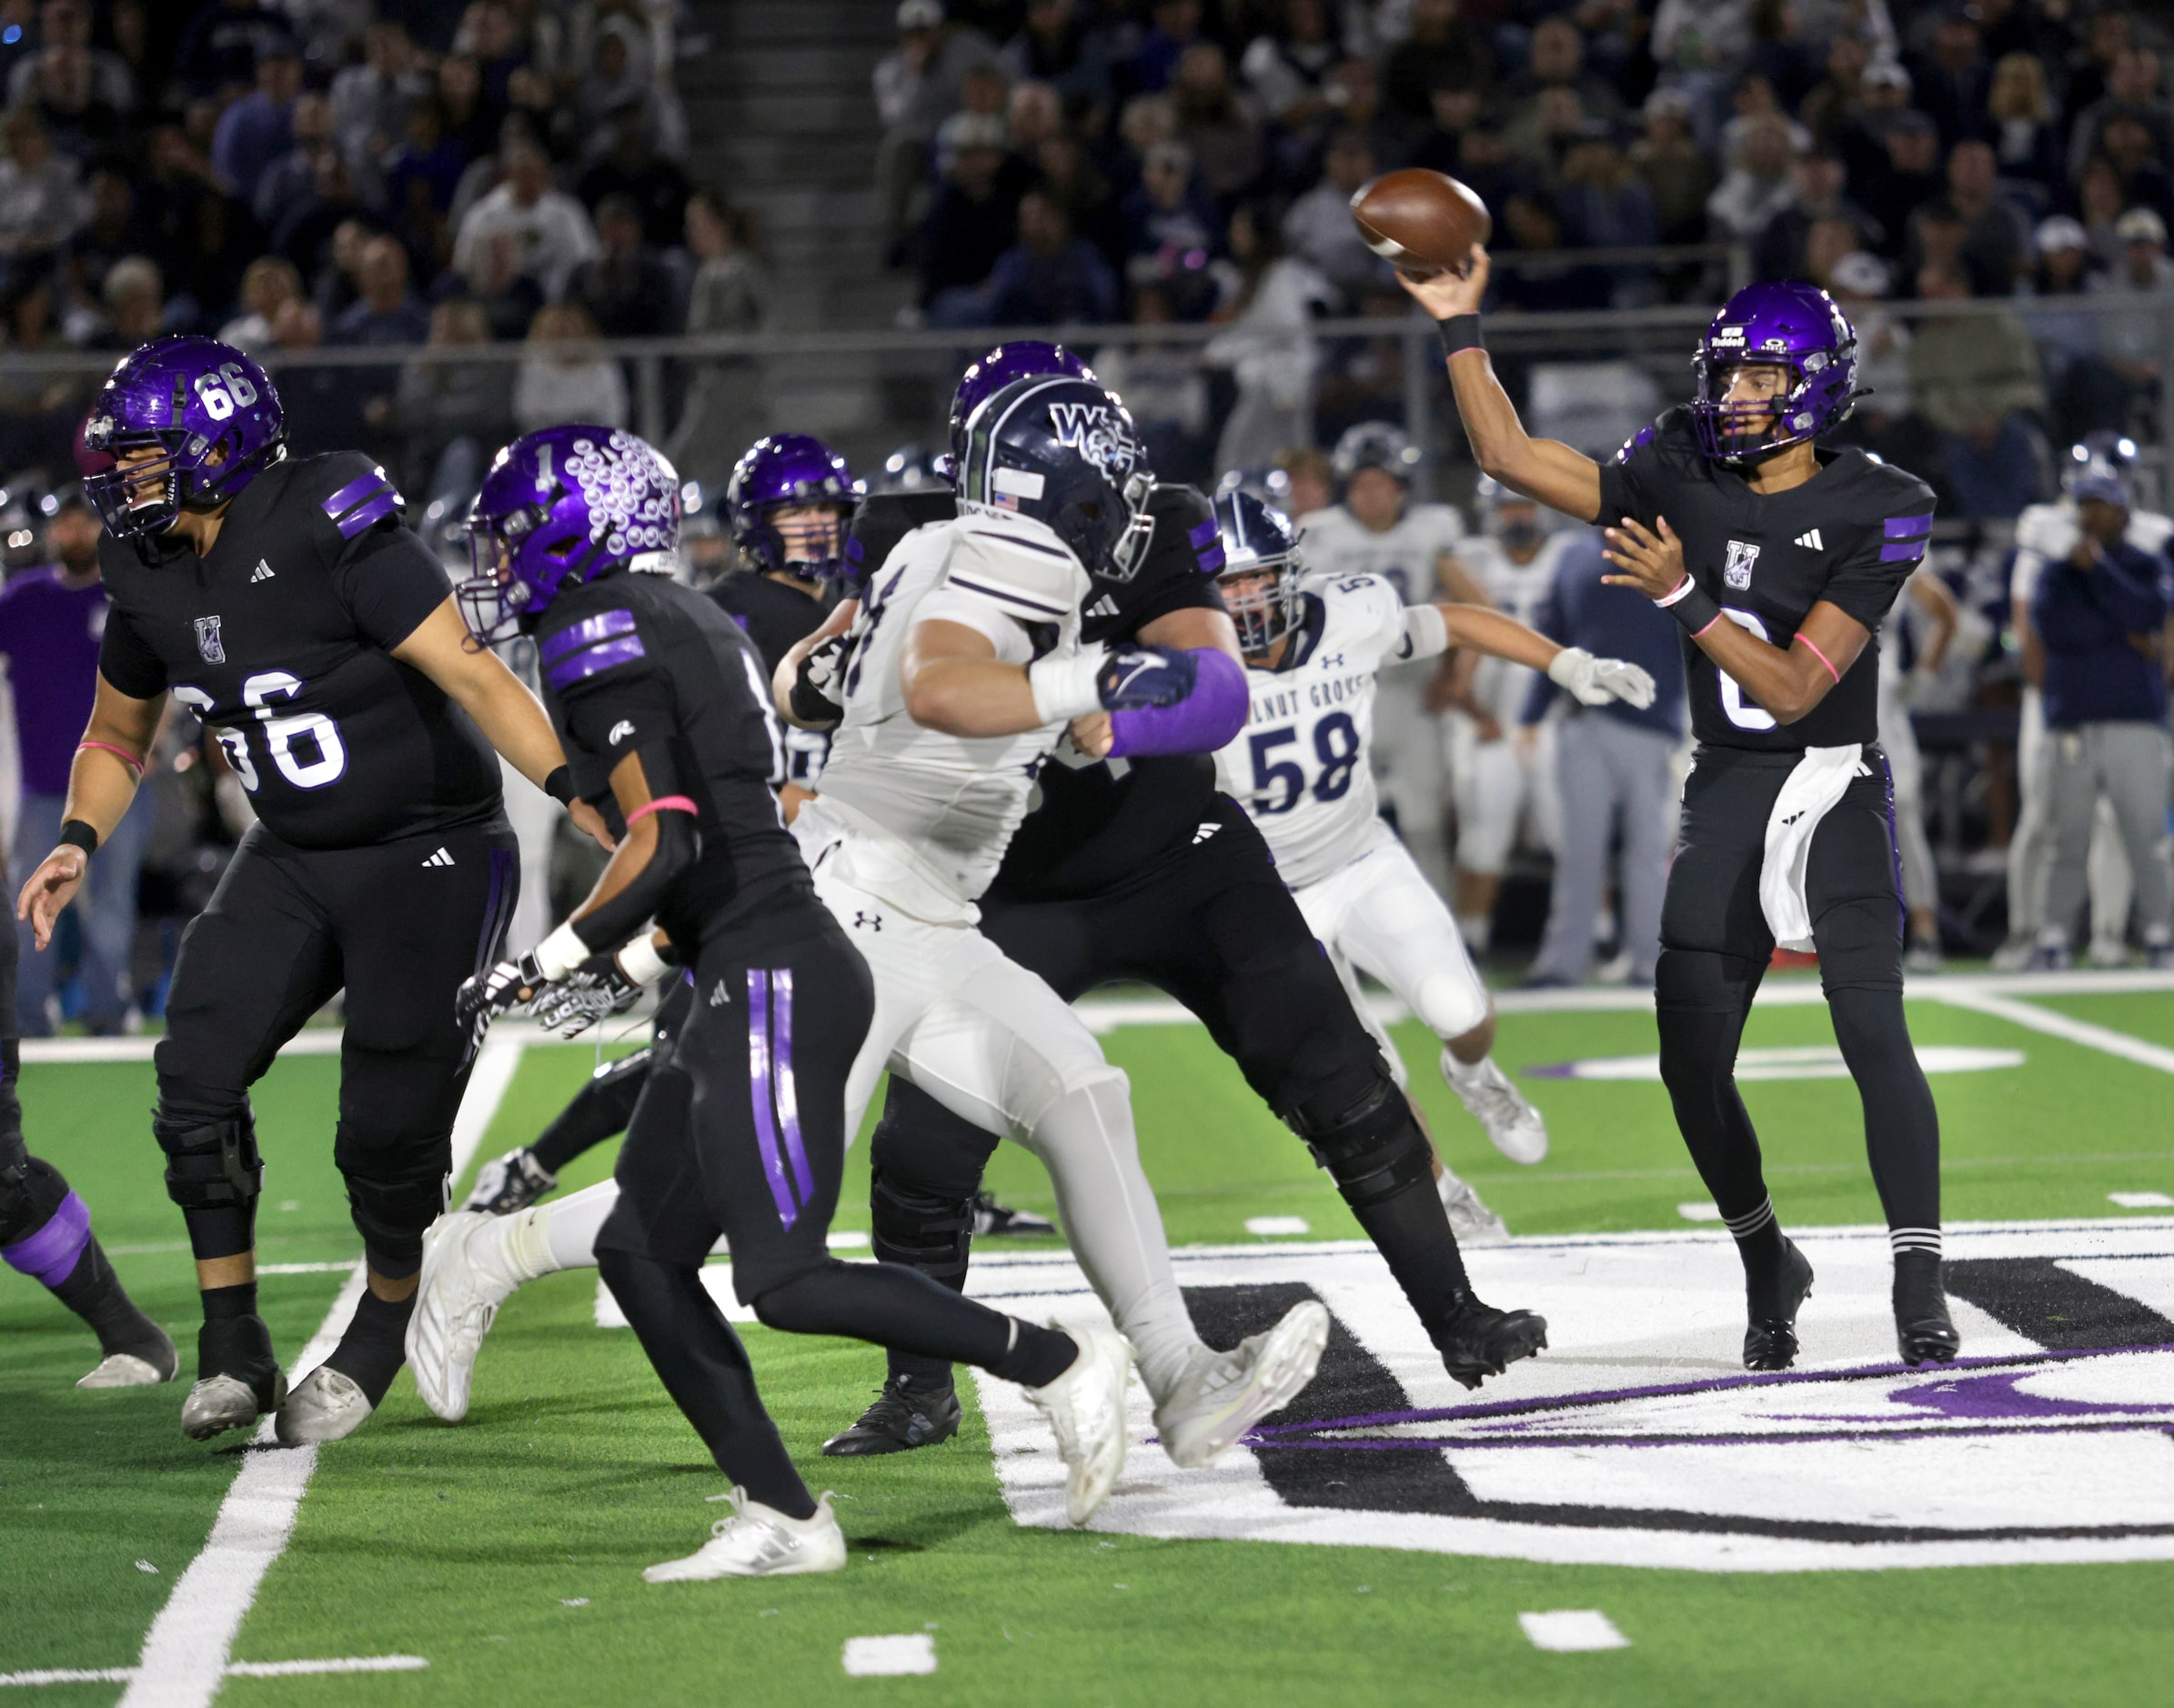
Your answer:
<point x="1503" y="775"/>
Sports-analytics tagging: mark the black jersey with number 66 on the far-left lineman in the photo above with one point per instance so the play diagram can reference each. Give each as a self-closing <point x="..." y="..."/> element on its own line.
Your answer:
<point x="282" y="642"/>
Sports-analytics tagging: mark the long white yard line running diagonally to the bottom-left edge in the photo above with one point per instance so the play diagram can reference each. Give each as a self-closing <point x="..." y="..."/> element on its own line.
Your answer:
<point x="186" y="1653"/>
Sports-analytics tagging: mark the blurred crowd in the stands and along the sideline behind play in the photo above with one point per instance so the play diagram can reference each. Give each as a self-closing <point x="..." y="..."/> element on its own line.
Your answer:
<point x="449" y="223"/>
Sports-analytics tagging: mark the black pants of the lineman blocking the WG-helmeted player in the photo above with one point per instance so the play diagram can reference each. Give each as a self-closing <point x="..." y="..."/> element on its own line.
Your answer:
<point x="1210" y="925"/>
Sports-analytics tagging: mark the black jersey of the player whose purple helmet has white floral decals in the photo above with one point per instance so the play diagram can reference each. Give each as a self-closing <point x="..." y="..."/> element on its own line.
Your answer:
<point x="638" y="662"/>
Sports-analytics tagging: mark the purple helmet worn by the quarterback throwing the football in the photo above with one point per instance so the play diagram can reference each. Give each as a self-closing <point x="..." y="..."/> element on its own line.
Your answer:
<point x="1792" y="327"/>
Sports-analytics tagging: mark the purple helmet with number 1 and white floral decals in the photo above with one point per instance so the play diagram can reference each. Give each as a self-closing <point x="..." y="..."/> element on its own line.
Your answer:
<point x="560" y="507"/>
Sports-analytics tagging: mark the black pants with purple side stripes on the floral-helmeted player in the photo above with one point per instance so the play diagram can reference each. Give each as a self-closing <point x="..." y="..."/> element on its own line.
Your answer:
<point x="745" y="1135"/>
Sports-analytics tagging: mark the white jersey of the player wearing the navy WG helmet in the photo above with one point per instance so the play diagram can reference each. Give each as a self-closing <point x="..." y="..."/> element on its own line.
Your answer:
<point x="949" y="805"/>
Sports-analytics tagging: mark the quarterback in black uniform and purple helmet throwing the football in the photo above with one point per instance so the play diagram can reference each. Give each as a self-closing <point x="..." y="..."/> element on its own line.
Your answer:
<point x="1779" y="560"/>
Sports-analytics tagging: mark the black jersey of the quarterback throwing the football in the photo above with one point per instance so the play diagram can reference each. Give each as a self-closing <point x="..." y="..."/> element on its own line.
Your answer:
<point x="1849" y="536"/>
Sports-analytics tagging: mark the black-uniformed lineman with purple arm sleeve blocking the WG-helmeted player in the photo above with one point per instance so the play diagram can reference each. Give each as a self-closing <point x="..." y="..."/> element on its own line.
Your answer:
<point x="1136" y="868"/>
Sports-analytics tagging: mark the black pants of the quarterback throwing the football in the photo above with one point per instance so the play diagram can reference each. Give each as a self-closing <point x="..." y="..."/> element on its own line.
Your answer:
<point x="1716" y="949"/>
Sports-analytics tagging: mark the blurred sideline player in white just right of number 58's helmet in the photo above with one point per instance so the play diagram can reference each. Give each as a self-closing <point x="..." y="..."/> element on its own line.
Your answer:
<point x="1375" y="529"/>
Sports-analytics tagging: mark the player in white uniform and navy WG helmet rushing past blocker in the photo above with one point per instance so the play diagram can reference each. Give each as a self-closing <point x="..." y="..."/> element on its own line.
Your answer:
<point x="960" y="675"/>
